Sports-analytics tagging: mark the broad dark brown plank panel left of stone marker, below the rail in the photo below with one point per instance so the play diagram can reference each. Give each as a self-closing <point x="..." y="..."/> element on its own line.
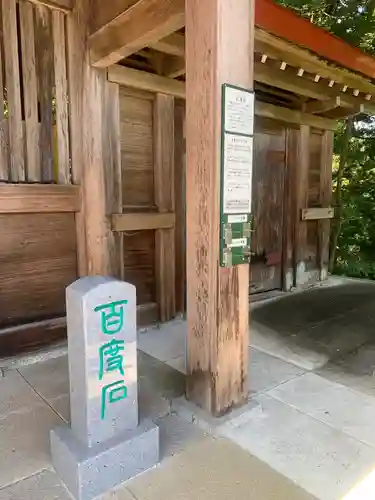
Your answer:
<point x="37" y="261"/>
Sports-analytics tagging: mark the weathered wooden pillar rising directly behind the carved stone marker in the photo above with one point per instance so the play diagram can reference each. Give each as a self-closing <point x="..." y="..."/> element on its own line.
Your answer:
<point x="95" y="143"/>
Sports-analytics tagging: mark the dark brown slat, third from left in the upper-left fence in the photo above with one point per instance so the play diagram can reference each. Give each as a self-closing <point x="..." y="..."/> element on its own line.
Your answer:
<point x="45" y="82"/>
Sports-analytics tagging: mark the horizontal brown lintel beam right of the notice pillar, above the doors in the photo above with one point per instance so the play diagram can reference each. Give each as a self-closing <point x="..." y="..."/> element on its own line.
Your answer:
<point x="293" y="116"/>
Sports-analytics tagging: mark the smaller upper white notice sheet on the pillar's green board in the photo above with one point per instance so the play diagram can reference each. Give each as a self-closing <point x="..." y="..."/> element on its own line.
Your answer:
<point x="238" y="111"/>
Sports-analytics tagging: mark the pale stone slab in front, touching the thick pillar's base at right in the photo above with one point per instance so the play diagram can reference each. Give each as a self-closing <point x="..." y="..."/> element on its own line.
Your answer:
<point x="319" y="458"/>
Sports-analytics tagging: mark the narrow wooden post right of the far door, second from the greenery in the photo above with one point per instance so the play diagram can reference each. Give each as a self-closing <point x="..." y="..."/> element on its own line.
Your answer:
<point x="302" y="185"/>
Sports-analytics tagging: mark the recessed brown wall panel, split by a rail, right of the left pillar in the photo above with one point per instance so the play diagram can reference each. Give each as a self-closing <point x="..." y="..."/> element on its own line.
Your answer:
<point x="137" y="169"/>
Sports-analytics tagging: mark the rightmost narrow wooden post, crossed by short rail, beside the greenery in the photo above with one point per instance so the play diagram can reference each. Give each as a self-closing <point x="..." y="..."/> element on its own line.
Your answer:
<point x="325" y="200"/>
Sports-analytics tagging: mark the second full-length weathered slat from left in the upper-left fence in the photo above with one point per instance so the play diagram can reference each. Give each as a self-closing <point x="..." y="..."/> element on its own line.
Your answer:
<point x="30" y="91"/>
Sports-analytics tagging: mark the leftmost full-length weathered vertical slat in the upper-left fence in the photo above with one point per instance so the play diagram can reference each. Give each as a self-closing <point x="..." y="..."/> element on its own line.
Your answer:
<point x="13" y="86"/>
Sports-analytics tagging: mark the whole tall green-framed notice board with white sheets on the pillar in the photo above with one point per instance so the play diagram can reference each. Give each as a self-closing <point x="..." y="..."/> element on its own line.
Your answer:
<point x="236" y="175"/>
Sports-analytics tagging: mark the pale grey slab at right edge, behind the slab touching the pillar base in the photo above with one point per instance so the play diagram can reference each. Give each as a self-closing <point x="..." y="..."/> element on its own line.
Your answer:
<point x="331" y="403"/>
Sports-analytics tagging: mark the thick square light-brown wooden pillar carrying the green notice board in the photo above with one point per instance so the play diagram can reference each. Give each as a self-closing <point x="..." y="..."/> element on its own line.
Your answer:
<point x="219" y="49"/>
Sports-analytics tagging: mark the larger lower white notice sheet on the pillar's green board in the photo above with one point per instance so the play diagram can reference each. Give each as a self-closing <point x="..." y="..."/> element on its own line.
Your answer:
<point x="238" y="162"/>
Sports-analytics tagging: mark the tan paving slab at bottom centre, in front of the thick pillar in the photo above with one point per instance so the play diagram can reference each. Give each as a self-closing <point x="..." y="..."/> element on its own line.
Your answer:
<point x="214" y="469"/>
